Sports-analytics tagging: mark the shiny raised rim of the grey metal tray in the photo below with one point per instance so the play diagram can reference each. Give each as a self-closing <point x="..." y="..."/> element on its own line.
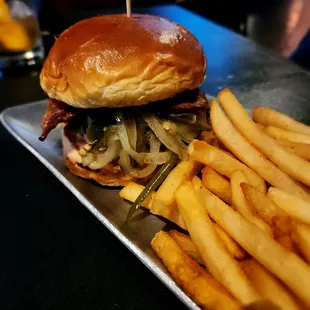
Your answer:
<point x="164" y="277"/>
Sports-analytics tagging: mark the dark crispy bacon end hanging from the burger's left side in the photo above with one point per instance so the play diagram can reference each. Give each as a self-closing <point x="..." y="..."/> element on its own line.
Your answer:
<point x="57" y="112"/>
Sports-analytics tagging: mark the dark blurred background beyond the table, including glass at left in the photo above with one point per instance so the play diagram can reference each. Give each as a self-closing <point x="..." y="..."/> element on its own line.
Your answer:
<point x="28" y="27"/>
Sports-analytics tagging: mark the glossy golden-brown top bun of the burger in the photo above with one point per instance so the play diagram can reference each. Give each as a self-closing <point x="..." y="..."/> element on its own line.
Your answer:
<point x="117" y="61"/>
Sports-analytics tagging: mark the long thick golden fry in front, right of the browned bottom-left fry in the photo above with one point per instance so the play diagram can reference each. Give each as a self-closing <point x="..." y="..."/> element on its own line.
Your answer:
<point x="215" y="255"/>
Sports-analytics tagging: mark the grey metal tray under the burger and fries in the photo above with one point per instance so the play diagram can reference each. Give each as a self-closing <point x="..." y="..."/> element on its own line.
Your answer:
<point x="23" y="122"/>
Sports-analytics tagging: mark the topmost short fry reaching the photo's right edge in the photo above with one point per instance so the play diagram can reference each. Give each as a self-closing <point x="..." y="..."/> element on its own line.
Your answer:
<point x="270" y="117"/>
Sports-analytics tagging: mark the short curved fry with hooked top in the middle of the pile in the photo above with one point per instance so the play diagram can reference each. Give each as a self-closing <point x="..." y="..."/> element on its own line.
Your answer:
<point x="242" y="205"/>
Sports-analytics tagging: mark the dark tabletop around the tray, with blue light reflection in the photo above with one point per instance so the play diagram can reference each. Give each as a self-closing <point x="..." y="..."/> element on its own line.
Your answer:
<point x="54" y="254"/>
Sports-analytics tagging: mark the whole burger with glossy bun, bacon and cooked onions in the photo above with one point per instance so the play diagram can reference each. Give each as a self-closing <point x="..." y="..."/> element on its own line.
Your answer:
<point x="125" y="89"/>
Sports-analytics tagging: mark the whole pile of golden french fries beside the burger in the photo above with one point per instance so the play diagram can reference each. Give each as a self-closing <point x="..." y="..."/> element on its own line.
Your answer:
<point x="242" y="200"/>
